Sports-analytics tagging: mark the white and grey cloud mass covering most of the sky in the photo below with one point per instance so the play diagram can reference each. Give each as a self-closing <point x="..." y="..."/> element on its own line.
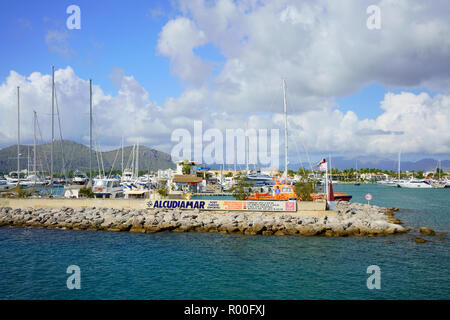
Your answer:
<point x="322" y="48"/>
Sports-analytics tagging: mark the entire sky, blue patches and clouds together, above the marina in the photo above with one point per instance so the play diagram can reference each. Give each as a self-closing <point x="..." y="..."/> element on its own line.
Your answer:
<point x="158" y="66"/>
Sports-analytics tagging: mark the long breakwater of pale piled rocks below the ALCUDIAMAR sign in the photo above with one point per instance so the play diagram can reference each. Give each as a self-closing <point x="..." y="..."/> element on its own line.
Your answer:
<point x="349" y="219"/>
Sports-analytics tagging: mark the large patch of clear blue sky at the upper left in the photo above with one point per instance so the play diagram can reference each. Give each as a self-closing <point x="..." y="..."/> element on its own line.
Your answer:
<point x="111" y="35"/>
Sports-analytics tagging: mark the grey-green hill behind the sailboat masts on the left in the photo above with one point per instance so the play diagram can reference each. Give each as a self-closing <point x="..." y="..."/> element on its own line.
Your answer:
<point x="76" y="156"/>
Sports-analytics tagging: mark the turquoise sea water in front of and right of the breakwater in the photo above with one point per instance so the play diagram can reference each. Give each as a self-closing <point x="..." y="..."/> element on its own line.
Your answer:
<point x="217" y="266"/>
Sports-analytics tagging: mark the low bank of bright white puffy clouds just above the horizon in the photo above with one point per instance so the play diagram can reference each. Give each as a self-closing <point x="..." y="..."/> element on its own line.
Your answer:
<point x="412" y="123"/>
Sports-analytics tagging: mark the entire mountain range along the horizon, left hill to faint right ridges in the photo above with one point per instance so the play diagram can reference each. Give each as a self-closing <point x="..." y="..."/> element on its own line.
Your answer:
<point x="76" y="156"/>
